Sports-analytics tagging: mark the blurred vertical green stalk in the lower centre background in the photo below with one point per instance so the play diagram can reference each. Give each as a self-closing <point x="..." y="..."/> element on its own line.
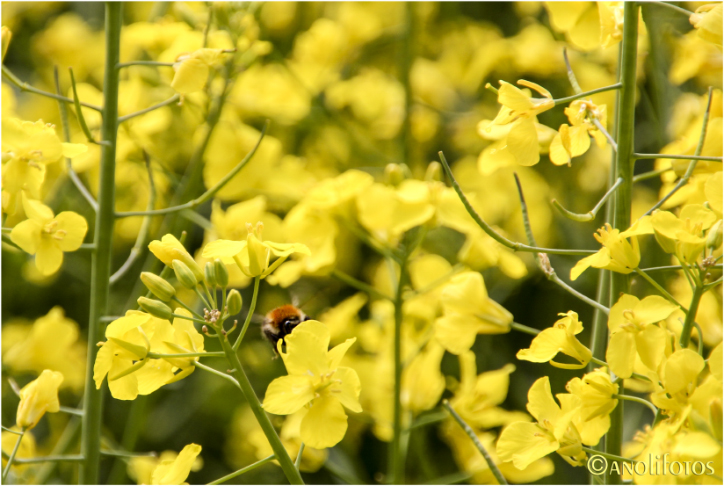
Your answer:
<point x="396" y="463"/>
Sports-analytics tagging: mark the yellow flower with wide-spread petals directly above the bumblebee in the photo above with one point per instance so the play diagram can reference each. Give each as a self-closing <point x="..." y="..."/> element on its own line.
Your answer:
<point x="253" y="255"/>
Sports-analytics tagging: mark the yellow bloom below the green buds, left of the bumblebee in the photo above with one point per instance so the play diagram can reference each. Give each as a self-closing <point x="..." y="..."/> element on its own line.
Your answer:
<point x="124" y="356"/>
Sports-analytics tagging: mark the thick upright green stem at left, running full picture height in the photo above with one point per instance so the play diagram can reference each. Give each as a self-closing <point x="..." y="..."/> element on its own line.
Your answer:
<point x="103" y="239"/>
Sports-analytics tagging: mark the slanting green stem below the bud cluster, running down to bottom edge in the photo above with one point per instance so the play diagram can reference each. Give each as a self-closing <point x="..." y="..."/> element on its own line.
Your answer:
<point x="280" y="452"/>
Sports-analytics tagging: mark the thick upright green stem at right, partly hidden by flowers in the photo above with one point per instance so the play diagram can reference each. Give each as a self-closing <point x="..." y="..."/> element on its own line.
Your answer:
<point x="625" y="114"/>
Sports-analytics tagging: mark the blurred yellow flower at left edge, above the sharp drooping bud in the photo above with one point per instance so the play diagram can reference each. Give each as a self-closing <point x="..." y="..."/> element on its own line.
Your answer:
<point x="50" y="343"/>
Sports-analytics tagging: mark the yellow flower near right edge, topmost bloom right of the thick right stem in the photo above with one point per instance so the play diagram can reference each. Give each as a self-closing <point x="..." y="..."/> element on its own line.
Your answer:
<point x="684" y="236"/>
